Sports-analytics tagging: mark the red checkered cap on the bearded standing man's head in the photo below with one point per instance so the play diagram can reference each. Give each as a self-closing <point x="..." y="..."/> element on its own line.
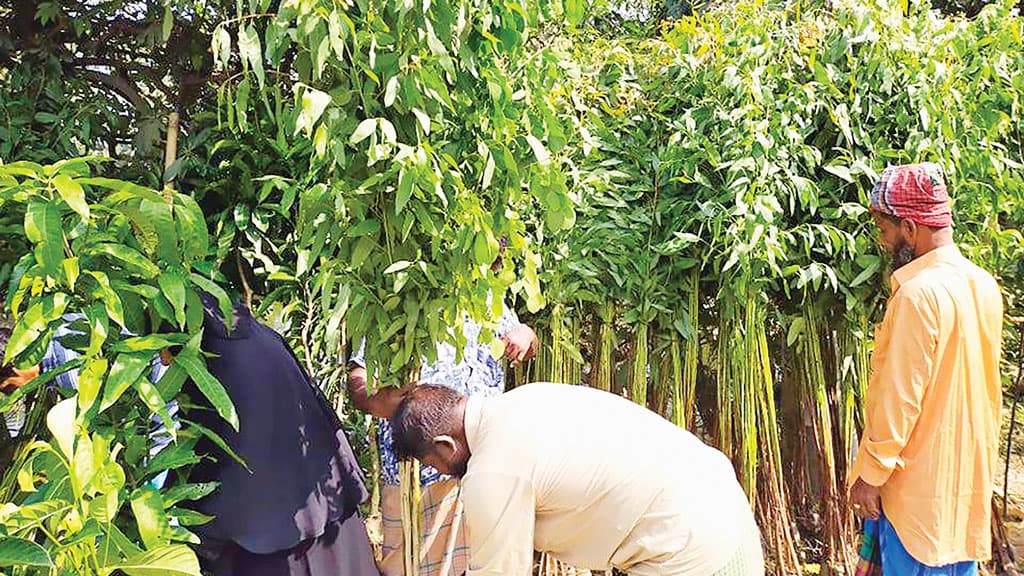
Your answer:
<point x="915" y="192"/>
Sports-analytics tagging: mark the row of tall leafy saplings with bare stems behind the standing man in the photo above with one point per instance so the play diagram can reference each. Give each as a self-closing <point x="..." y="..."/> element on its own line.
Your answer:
<point x="743" y="143"/>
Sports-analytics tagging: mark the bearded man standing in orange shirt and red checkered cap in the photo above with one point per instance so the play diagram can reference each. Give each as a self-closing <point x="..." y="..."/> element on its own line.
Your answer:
<point x="923" y="478"/>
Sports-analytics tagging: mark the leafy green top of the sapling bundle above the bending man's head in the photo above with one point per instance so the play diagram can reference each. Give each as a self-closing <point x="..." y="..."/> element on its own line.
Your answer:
<point x="431" y="136"/>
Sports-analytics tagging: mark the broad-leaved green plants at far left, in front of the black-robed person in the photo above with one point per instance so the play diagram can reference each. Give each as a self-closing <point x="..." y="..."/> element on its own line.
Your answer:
<point x="115" y="263"/>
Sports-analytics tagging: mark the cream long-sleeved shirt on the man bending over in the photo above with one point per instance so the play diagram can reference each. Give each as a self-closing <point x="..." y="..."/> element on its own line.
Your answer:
<point x="599" y="482"/>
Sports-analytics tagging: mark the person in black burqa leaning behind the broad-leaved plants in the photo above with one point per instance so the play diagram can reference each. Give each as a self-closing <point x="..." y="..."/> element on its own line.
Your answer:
<point x="295" y="513"/>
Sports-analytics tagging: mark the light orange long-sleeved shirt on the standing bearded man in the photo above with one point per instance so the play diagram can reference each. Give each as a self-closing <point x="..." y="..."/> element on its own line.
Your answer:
<point x="931" y="439"/>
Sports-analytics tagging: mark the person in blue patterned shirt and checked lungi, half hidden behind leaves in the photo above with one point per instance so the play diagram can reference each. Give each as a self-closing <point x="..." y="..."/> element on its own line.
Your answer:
<point x="480" y="375"/>
